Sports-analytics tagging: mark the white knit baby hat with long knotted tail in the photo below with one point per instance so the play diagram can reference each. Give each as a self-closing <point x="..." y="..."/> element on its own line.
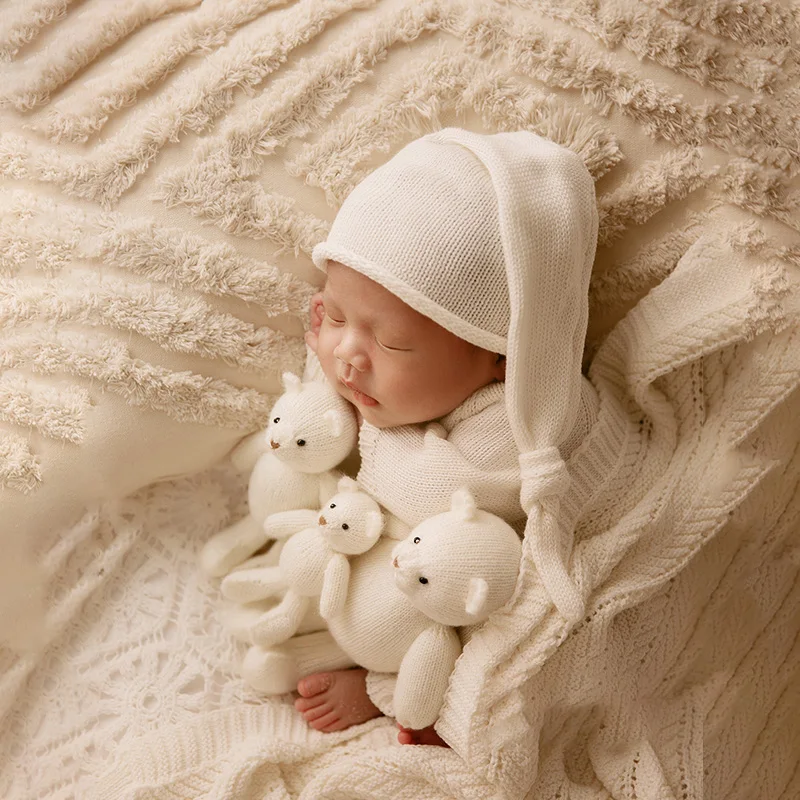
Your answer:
<point x="493" y="237"/>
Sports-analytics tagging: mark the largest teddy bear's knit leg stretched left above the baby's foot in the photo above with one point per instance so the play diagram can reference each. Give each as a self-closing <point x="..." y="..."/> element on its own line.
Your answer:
<point x="277" y="670"/>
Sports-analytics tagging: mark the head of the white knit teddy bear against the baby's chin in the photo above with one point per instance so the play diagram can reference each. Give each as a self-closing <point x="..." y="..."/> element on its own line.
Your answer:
<point x="312" y="428"/>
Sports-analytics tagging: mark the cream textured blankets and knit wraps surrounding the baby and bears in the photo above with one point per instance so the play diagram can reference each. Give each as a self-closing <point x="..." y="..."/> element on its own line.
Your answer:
<point x="167" y="168"/>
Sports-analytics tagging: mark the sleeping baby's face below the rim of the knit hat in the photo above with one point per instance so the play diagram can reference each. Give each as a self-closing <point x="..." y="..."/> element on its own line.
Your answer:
<point x="395" y="365"/>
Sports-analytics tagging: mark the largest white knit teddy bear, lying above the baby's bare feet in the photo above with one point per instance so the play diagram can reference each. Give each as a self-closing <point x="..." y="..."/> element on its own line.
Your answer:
<point x="403" y="603"/>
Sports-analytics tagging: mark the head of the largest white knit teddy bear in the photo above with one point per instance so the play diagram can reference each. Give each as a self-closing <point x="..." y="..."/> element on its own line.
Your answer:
<point x="460" y="566"/>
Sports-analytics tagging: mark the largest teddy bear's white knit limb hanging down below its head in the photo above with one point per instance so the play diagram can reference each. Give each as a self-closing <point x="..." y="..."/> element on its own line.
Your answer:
<point x="424" y="676"/>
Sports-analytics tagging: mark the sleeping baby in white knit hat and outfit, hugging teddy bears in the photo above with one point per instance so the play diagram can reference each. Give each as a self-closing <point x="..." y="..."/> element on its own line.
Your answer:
<point x="453" y="318"/>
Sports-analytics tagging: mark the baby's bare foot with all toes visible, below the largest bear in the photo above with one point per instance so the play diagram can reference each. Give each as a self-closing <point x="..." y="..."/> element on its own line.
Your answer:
<point x="333" y="701"/>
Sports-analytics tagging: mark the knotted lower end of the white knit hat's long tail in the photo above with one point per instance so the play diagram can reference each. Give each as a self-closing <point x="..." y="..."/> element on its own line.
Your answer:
<point x="545" y="477"/>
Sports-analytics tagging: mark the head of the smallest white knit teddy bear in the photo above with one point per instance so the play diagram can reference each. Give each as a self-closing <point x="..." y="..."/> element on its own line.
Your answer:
<point x="351" y="521"/>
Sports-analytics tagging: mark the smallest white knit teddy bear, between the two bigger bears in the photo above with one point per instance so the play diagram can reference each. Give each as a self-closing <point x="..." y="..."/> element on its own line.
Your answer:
<point x="313" y="563"/>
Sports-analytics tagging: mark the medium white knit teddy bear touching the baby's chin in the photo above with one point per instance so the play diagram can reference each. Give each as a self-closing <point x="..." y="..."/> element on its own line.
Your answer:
<point x="312" y="429"/>
